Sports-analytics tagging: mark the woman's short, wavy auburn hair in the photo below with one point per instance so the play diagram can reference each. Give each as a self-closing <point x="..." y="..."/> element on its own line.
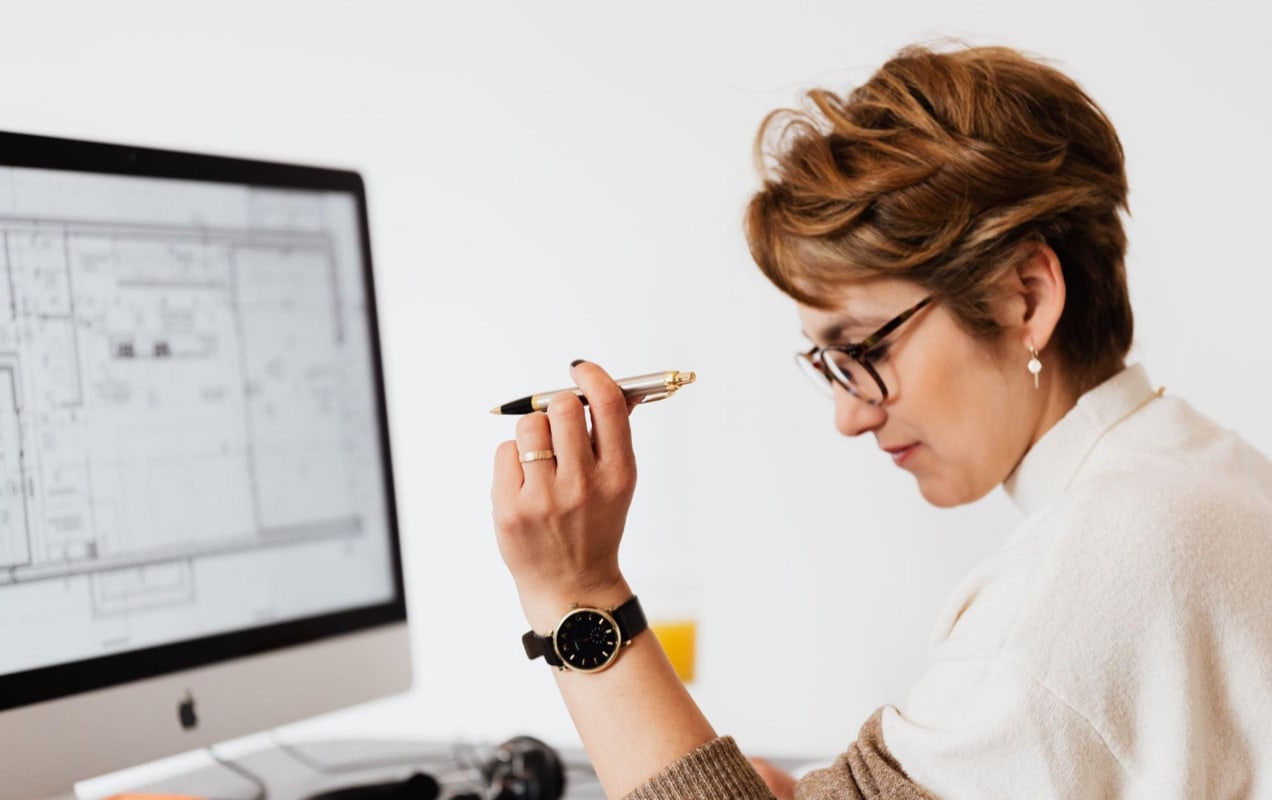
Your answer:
<point x="941" y="170"/>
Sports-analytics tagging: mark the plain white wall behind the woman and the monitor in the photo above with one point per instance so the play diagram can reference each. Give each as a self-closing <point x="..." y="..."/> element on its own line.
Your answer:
<point x="553" y="181"/>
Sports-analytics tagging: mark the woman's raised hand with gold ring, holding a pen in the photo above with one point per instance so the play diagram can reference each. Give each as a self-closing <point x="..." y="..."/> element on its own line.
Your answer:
<point x="560" y="521"/>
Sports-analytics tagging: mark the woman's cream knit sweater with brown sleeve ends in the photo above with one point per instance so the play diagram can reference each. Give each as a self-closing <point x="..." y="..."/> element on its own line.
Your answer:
<point x="1120" y="645"/>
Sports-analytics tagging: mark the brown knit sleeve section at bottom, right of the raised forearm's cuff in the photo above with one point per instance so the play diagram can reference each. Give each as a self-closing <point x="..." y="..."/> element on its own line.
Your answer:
<point x="867" y="773"/>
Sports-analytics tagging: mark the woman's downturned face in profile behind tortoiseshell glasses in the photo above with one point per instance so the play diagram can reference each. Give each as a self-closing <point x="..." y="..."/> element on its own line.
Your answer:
<point x="961" y="413"/>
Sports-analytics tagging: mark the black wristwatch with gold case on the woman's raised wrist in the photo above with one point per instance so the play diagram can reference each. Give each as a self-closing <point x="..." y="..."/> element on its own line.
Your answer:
<point x="588" y="640"/>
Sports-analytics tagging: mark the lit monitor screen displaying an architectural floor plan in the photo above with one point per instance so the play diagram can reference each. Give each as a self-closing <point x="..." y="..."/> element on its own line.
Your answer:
<point x="189" y="434"/>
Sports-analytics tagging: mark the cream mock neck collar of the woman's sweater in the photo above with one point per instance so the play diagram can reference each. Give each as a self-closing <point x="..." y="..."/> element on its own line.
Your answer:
<point x="1051" y="465"/>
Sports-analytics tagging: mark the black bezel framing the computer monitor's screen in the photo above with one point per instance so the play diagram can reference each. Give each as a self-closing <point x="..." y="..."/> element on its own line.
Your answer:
<point x="24" y="689"/>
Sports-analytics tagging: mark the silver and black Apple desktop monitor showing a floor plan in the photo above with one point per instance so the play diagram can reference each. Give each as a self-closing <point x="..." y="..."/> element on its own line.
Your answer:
<point x="198" y="528"/>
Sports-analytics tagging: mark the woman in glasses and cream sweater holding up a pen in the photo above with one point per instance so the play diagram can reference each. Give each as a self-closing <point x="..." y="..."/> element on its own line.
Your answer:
<point x="951" y="233"/>
